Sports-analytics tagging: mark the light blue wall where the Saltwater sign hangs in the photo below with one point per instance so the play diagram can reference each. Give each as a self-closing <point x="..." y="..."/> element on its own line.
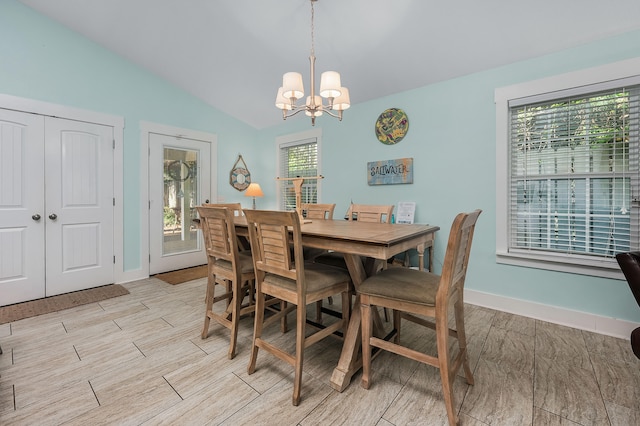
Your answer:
<point x="452" y="140"/>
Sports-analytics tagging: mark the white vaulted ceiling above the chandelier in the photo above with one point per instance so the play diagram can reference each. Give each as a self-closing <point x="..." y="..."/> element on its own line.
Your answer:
<point x="232" y="53"/>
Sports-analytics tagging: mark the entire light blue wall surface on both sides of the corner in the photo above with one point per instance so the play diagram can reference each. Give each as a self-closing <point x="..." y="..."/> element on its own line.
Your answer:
<point x="451" y="138"/>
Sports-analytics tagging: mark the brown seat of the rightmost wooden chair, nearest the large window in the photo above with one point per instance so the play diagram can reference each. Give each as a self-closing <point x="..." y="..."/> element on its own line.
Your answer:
<point x="403" y="285"/>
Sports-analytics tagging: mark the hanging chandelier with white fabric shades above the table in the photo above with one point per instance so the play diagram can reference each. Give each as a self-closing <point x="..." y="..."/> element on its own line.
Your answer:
<point x="330" y="88"/>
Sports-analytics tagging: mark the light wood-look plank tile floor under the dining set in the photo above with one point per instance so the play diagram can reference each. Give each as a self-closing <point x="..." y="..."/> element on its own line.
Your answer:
<point x="139" y="360"/>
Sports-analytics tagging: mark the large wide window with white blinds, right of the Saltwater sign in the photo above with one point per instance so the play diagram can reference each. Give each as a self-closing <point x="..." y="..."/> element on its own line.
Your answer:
<point x="574" y="176"/>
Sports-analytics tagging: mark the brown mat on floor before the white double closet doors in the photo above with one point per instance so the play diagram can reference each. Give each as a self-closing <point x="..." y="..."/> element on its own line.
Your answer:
<point x="60" y="302"/>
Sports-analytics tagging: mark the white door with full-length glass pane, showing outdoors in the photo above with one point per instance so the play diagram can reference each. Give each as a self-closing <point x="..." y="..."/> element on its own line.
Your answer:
<point x="179" y="180"/>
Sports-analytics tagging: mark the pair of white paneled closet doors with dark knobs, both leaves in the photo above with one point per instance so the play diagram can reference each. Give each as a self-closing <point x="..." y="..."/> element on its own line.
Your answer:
<point x="56" y="206"/>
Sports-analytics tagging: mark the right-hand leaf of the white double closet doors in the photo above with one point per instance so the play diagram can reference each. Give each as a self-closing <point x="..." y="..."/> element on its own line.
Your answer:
<point x="79" y="205"/>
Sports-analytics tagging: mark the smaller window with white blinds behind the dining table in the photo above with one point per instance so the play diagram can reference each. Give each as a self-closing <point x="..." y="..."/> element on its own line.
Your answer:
<point x="298" y="159"/>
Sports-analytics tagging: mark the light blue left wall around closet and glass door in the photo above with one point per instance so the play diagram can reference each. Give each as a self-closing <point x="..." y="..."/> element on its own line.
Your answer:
<point x="41" y="60"/>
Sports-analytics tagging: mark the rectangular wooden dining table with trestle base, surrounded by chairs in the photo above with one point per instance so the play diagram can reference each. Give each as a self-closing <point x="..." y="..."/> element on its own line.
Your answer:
<point x="364" y="245"/>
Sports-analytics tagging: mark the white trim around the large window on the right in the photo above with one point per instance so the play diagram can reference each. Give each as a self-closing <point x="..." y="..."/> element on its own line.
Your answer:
<point x="610" y="75"/>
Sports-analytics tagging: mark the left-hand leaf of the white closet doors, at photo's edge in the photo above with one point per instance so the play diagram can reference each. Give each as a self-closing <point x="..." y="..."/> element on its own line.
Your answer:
<point x="22" y="216"/>
